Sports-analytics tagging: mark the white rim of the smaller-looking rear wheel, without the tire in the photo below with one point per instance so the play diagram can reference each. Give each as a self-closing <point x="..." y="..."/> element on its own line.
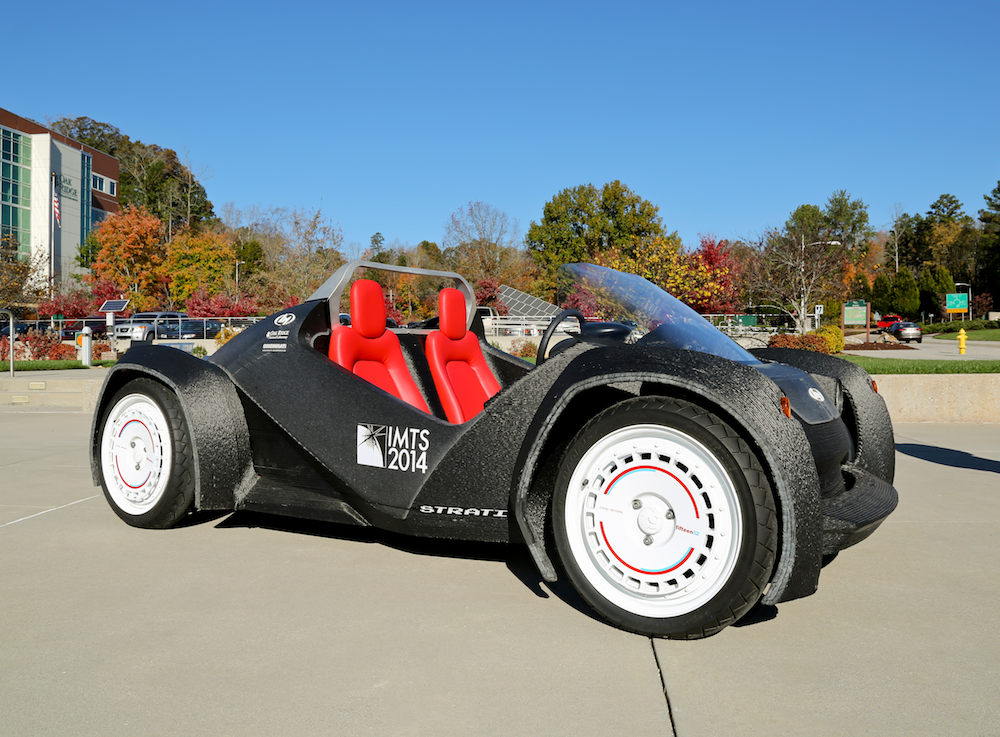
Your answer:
<point x="136" y="454"/>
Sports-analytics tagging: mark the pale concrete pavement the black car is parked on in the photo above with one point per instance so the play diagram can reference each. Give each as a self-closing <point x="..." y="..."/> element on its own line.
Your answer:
<point x="253" y="625"/>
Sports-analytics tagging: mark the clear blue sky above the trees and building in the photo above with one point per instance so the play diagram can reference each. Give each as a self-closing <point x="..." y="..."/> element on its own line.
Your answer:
<point x="390" y="116"/>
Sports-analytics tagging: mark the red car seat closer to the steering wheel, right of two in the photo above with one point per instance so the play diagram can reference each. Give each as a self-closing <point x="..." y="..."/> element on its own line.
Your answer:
<point x="463" y="379"/>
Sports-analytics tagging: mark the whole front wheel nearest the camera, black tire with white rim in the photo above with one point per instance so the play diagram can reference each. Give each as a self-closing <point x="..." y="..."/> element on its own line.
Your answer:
<point x="682" y="553"/>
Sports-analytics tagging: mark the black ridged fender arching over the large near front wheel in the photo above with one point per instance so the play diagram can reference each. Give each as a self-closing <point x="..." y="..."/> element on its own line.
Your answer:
<point x="748" y="399"/>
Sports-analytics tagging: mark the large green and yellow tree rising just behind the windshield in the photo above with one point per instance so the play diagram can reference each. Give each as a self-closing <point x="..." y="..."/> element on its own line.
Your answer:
<point x="580" y="223"/>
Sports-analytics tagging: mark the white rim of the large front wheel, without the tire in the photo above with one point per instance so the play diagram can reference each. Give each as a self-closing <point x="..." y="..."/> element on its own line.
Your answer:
<point x="653" y="521"/>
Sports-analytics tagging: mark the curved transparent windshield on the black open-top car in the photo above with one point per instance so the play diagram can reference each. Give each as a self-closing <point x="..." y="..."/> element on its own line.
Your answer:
<point x="655" y="315"/>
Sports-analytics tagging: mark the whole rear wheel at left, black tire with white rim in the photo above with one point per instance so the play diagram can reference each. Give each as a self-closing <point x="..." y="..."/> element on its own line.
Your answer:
<point x="145" y="455"/>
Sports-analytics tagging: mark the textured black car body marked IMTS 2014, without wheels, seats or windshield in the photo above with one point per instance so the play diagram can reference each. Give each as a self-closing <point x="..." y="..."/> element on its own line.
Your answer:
<point x="276" y="426"/>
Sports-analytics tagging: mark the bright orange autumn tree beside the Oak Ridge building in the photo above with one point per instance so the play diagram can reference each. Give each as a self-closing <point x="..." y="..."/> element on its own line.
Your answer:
<point x="131" y="253"/>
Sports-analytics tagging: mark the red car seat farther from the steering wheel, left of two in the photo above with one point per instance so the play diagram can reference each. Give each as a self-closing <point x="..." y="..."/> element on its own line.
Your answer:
<point x="371" y="352"/>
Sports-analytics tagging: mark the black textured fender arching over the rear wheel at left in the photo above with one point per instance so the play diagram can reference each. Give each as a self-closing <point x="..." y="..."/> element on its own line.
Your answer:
<point x="223" y="467"/>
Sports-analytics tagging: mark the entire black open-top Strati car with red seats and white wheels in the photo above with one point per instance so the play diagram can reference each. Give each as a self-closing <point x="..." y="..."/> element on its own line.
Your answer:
<point x="675" y="478"/>
